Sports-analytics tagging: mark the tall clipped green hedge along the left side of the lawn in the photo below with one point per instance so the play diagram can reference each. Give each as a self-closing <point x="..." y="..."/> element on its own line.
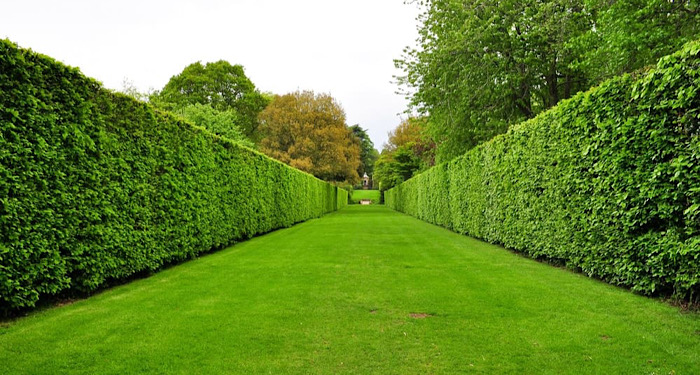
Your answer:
<point x="95" y="186"/>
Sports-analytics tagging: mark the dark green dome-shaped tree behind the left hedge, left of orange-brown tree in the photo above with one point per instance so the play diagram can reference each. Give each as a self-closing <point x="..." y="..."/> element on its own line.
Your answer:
<point x="220" y="85"/>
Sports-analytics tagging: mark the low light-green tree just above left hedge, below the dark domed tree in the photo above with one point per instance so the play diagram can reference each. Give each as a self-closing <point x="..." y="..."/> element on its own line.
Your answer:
<point x="222" y="123"/>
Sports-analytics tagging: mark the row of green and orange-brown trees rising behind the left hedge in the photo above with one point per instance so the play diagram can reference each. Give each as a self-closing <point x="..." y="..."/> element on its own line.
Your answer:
<point x="305" y="130"/>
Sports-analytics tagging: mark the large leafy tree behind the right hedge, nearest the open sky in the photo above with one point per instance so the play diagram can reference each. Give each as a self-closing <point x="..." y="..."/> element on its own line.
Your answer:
<point x="481" y="66"/>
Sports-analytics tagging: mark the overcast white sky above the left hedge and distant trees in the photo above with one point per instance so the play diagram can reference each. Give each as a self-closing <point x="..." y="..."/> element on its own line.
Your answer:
<point x="342" y="47"/>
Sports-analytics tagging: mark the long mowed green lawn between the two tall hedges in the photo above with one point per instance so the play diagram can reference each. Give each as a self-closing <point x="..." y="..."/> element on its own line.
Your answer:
<point x="362" y="291"/>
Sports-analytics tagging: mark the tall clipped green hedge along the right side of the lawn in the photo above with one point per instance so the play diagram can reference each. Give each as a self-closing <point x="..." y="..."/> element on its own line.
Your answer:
<point x="607" y="182"/>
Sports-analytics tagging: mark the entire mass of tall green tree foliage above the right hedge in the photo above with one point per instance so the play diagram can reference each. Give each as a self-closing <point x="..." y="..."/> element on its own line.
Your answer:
<point x="480" y="65"/>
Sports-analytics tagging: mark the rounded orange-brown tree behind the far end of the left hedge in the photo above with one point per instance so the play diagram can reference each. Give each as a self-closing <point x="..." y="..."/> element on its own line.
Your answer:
<point x="308" y="132"/>
